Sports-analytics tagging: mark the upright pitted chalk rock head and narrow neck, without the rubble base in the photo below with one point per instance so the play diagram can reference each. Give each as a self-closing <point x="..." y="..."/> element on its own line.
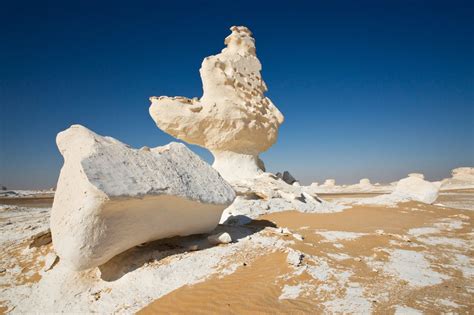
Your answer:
<point x="233" y="118"/>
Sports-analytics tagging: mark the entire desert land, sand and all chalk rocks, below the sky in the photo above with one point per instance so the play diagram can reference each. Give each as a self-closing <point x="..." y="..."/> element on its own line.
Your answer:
<point x="158" y="230"/>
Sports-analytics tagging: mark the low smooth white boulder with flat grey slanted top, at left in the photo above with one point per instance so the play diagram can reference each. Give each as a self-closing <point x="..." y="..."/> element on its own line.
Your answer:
<point x="111" y="197"/>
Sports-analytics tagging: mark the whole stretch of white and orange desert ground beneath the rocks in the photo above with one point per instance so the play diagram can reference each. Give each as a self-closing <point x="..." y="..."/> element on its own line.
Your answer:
<point x="366" y="259"/>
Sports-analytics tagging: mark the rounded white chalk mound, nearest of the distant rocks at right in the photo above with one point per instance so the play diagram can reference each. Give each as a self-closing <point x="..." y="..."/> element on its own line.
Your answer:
<point x="418" y="189"/>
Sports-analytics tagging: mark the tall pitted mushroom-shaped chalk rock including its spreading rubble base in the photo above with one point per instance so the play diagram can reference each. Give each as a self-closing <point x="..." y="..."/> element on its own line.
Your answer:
<point x="236" y="122"/>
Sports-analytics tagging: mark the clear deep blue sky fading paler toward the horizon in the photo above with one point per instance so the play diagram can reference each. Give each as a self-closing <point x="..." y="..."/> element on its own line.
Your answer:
<point x="372" y="89"/>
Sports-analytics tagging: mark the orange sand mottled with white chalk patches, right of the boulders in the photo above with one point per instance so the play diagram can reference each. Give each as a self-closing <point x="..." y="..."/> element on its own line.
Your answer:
<point x="365" y="259"/>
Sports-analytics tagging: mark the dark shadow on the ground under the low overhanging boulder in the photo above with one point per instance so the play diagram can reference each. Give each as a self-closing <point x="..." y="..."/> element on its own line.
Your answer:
<point x="152" y="252"/>
